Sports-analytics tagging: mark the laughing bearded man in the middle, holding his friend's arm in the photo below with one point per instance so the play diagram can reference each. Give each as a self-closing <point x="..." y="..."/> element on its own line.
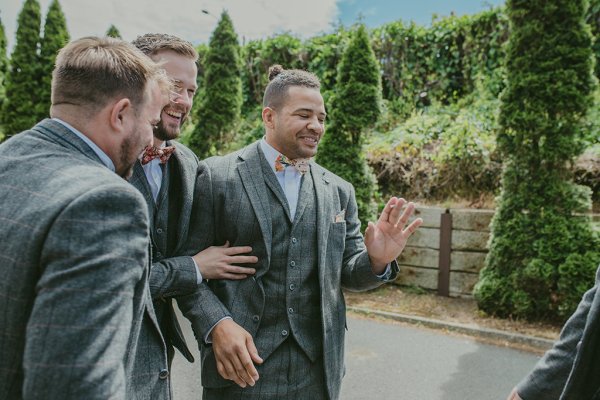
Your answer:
<point x="166" y="176"/>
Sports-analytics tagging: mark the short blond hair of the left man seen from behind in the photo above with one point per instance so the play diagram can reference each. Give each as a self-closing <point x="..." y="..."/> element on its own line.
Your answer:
<point x="91" y="71"/>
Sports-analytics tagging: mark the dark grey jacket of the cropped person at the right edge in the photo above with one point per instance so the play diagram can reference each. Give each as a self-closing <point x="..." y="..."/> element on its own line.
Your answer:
<point x="571" y="369"/>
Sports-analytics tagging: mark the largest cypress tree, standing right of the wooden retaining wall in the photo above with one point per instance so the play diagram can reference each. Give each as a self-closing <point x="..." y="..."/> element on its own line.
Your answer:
<point x="542" y="256"/>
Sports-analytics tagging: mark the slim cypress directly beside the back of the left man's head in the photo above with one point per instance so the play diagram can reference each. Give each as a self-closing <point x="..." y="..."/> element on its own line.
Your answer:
<point x="55" y="37"/>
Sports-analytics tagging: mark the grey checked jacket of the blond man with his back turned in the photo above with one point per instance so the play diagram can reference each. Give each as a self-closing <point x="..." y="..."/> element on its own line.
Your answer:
<point x="75" y="316"/>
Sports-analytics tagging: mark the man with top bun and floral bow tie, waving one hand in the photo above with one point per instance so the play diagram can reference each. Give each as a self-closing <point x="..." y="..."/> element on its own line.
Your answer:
<point x="287" y="323"/>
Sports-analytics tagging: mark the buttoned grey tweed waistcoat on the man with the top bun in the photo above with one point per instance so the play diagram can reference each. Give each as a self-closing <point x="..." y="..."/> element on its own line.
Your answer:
<point x="292" y="305"/>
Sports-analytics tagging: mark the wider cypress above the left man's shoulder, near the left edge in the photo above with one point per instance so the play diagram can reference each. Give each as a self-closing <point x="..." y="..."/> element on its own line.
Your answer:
<point x="22" y="83"/>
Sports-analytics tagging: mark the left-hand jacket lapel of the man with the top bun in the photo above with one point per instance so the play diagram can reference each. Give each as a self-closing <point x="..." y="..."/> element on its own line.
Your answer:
<point x="254" y="184"/>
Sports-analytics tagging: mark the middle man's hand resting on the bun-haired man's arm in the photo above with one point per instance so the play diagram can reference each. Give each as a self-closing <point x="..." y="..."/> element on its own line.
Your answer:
<point x="219" y="262"/>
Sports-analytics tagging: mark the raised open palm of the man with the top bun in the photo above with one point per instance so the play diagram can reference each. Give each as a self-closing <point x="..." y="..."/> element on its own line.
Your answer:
<point x="386" y="239"/>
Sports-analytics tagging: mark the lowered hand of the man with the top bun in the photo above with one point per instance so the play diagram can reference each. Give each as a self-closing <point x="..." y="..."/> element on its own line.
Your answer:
<point x="235" y="353"/>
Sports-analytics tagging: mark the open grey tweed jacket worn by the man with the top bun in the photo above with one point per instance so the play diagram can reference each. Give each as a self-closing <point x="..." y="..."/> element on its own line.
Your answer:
<point x="233" y="206"/>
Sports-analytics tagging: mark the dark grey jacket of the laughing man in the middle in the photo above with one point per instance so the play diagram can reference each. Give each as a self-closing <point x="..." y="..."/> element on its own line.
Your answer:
<point x="172" y="274"/>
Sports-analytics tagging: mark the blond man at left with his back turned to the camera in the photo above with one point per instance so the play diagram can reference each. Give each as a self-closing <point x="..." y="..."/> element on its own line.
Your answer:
<point x="75" y="308"/>
